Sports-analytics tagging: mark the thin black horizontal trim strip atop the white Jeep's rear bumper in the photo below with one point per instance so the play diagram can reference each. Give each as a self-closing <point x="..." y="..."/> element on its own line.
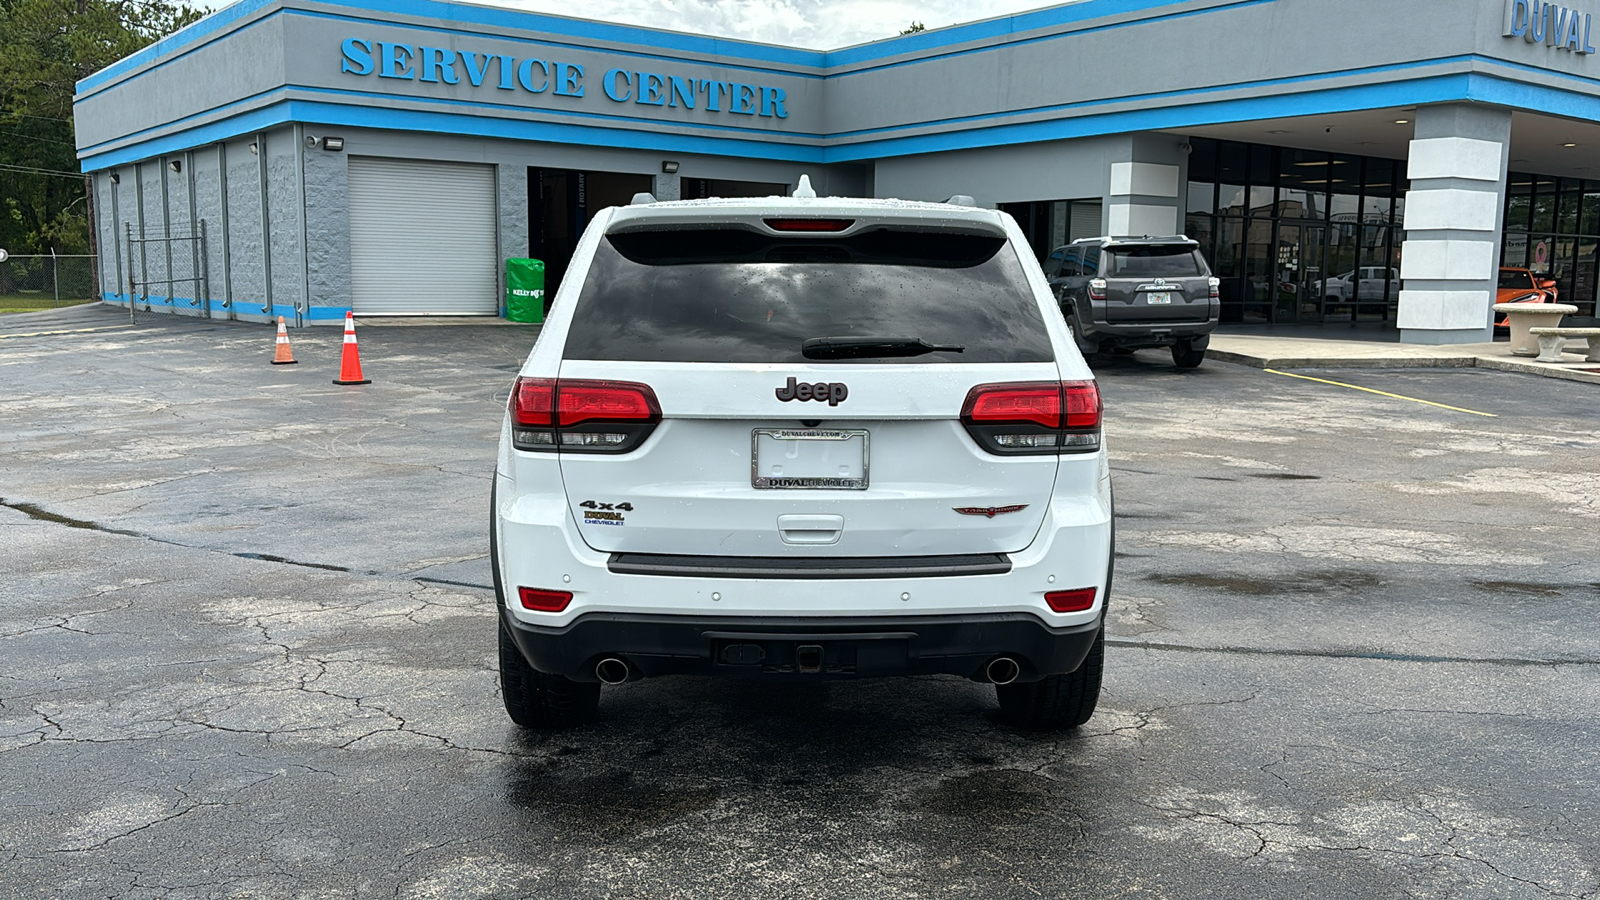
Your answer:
<point x="809" y="568"/>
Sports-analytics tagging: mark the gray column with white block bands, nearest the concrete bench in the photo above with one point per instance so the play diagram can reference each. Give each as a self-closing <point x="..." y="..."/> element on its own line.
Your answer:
<point x="1454" y="219"/>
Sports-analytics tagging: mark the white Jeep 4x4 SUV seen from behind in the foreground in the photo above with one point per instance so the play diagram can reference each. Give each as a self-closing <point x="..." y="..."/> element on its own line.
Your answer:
<point x="802" y="440"/>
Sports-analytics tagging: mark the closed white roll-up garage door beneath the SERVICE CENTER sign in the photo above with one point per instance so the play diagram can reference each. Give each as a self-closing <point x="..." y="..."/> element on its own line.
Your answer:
<point x="423" y="238"/>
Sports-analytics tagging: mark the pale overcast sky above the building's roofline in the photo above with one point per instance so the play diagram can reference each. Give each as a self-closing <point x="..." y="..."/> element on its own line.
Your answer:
<point x="818" y="25"/>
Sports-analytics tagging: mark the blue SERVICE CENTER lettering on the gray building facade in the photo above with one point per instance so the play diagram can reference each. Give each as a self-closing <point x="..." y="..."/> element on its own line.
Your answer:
<point x="497" y="71"/>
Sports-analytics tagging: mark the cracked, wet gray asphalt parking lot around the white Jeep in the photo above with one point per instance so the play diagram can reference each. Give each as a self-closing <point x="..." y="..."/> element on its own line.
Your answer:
<point x="247" y="653"/>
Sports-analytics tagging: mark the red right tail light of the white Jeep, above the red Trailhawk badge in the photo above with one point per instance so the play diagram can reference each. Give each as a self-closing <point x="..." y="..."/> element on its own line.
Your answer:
<point x="1034" y="417"/>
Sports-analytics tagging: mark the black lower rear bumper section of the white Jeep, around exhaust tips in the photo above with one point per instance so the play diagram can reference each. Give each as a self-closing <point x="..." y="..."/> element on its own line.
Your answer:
<point x="804" y="648"/>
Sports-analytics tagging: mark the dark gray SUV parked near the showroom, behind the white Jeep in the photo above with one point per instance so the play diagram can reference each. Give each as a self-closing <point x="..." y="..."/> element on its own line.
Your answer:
<point x="1124" y="294"/>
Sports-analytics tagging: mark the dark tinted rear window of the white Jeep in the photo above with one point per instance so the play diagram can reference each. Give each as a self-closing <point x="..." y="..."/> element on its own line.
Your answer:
<point x="743" y="297"/>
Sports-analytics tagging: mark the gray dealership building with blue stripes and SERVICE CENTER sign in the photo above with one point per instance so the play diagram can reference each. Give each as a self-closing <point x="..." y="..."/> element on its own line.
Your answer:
<point x="1361" y="161"/>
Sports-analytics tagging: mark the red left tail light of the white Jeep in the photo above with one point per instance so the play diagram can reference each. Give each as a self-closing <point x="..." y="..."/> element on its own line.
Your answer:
<point x="582" y="417"/>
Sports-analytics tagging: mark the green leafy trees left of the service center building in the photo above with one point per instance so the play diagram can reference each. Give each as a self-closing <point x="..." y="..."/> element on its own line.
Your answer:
<point x="46" y="49"/>
